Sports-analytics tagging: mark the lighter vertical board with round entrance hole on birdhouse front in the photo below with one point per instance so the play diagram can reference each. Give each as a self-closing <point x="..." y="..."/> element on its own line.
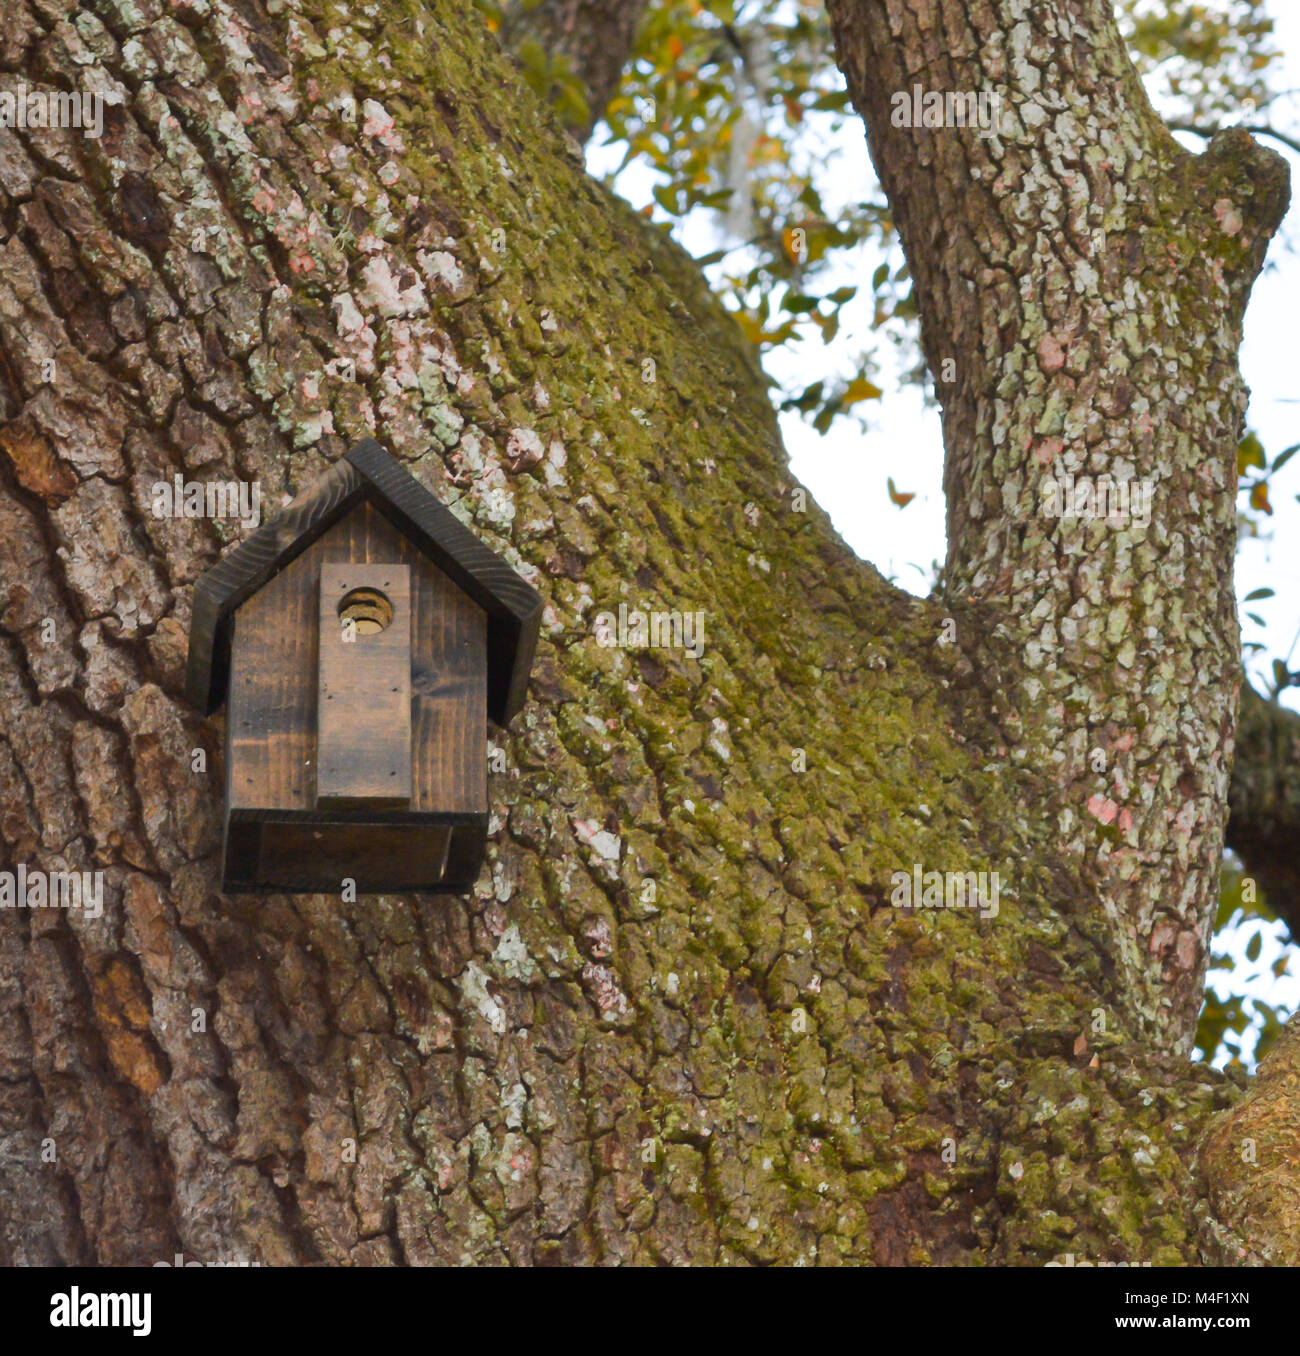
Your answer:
<point x="364" y="692"/>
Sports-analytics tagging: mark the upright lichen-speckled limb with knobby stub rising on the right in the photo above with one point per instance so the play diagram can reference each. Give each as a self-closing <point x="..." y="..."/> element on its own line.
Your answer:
<point x="1086" y="279"/>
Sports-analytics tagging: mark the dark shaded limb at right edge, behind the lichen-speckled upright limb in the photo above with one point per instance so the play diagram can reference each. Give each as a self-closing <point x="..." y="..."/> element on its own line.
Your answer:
<point x="1264" y="802"/>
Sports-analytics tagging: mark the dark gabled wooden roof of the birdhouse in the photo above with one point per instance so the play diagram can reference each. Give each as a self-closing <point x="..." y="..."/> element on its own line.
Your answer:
<point x="368" y="474"/>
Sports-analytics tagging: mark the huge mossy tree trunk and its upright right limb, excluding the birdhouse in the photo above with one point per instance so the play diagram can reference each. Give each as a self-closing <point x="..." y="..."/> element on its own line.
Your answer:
<point x="678" y="1019"/>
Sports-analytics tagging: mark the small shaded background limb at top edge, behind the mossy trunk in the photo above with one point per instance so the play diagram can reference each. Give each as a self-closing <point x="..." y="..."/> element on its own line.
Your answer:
<point x="596" y="36"/>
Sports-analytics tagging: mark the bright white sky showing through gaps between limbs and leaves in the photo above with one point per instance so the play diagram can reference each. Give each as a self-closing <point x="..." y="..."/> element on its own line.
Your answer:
<point x="847" y="470"/>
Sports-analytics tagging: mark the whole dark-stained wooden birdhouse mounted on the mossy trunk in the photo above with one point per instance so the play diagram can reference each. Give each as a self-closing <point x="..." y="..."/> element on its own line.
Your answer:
<point x="360" y="642"/>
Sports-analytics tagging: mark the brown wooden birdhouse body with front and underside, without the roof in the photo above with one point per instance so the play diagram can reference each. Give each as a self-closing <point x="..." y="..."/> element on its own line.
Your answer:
<point x="359" y="688"/>
